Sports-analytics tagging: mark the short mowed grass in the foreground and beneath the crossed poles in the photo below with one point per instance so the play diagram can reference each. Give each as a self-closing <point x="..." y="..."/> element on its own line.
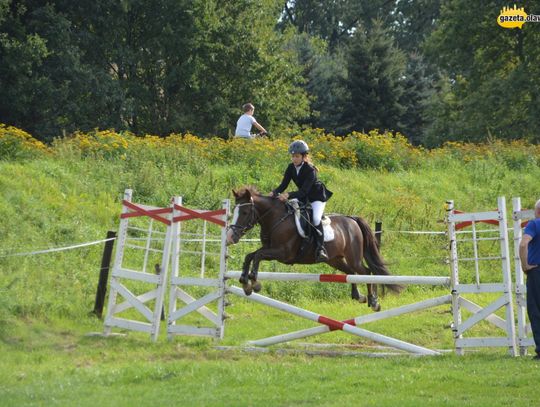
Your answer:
<point x="58" y="363"/>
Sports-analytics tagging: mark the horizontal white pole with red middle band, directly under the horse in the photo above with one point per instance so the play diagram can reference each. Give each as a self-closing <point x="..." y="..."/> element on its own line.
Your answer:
<point x="342" y="278"/>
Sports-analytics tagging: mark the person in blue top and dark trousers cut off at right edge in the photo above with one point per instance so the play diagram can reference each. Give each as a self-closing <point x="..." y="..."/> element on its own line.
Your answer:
<point x="529" y="253"/>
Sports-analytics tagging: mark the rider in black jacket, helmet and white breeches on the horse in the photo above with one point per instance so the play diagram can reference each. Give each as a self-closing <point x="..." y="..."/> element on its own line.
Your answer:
<point x="304" y="174"/>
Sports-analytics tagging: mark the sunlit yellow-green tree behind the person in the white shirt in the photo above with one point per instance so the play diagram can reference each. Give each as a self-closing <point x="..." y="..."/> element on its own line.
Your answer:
<point x="240" y="57"/>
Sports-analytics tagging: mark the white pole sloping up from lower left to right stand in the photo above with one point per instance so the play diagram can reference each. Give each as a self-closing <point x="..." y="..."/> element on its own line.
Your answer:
<point x="305" y="333"/>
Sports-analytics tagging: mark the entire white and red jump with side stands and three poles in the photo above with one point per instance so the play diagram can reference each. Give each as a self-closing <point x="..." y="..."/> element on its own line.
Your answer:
<point x="136" y="298"/>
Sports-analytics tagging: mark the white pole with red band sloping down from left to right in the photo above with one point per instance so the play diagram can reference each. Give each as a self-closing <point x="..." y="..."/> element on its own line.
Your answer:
<point x="332" y="323"/>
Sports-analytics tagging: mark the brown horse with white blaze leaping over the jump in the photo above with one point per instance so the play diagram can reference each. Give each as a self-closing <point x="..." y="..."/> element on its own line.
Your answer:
<point x="353" y="242"/>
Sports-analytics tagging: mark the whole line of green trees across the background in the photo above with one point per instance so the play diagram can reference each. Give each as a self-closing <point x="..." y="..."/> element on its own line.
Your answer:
<point x="434" y="70"/>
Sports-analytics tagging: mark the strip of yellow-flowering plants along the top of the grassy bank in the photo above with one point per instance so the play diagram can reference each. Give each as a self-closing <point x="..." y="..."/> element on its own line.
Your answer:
<point x="375" y="150"/>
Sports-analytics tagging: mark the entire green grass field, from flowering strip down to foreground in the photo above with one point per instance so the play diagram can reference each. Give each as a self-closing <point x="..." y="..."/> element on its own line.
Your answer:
<point x="47" y="357"/>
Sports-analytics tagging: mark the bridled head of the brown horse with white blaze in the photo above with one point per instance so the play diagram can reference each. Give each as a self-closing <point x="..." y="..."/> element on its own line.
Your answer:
<point x="244" y="215"/>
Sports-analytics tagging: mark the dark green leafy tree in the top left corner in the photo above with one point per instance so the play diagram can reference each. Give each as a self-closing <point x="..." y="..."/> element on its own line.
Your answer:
<point x="45" y="87"/>
